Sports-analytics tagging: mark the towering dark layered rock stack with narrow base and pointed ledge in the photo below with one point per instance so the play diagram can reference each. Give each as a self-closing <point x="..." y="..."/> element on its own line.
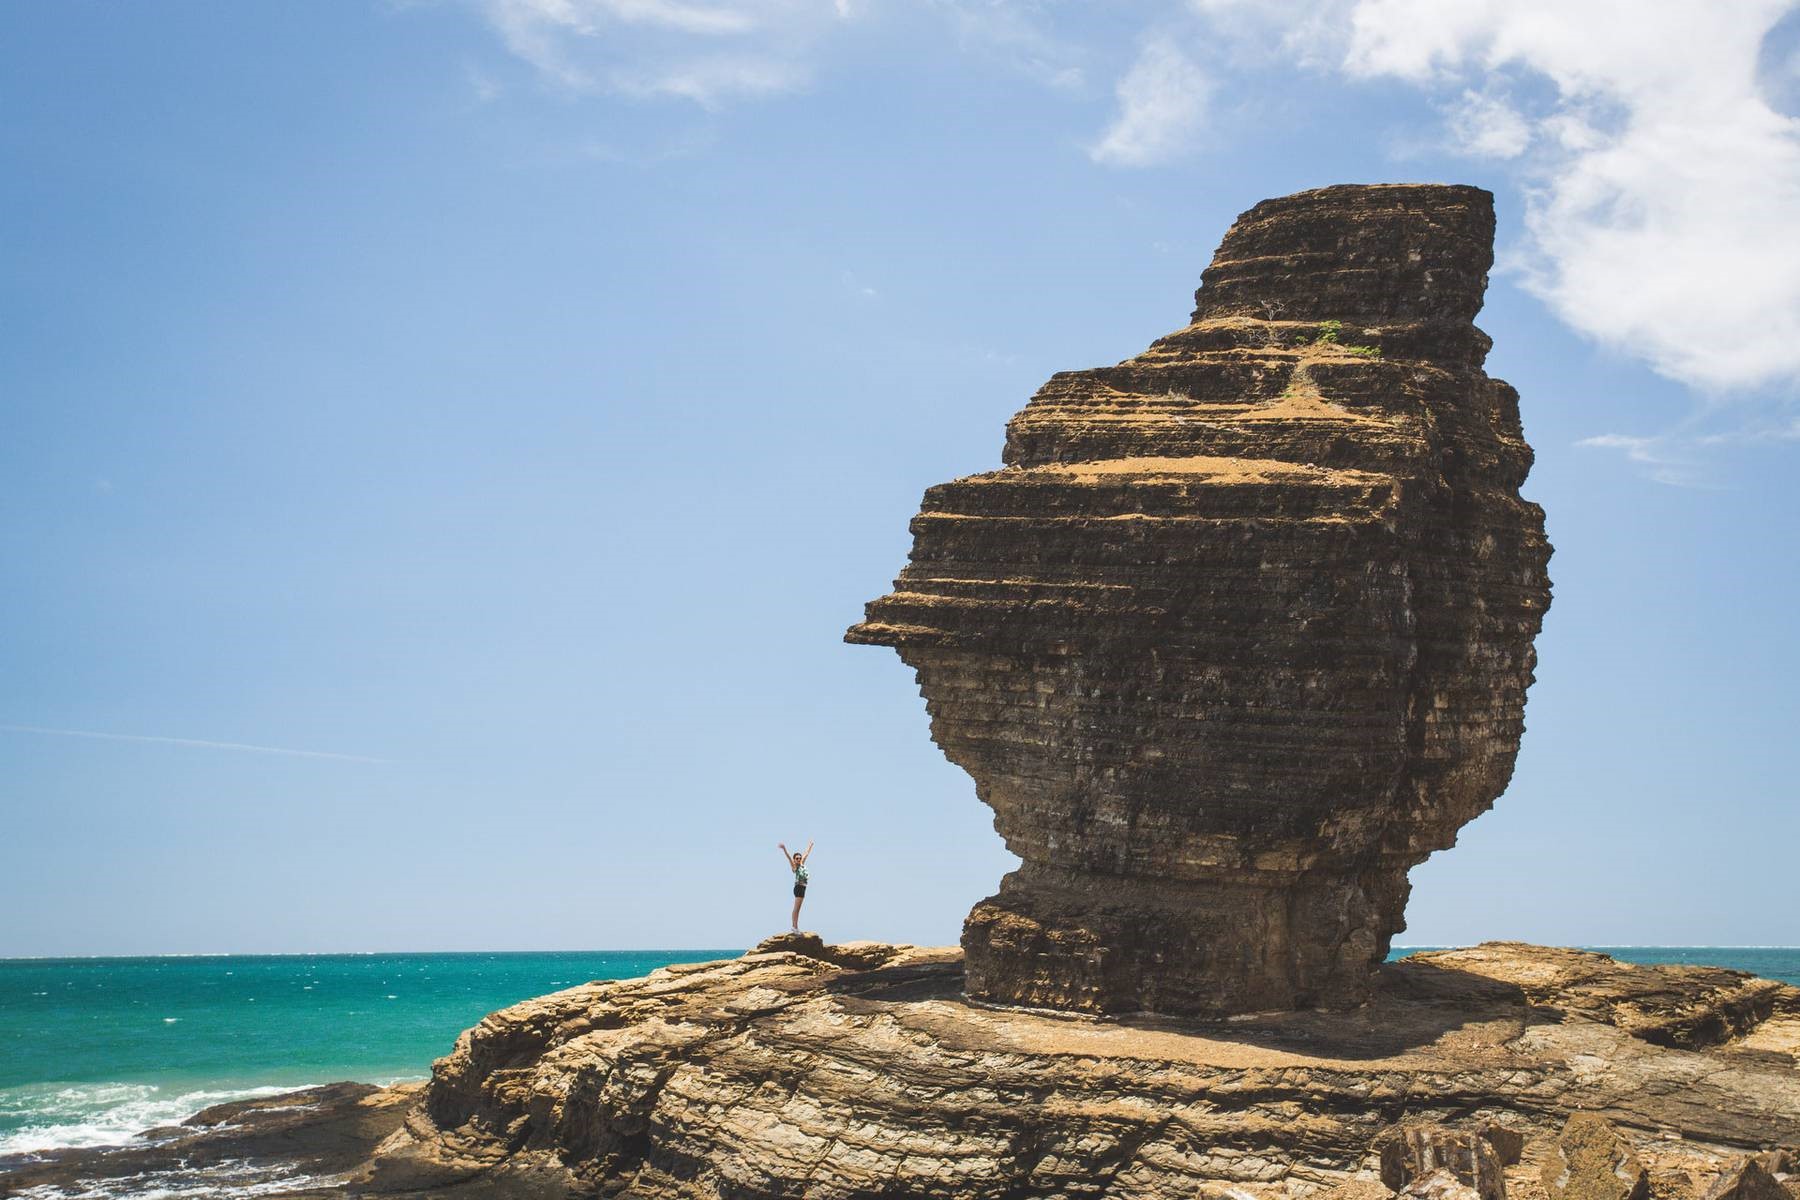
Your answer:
<point x="1243" y="631"/>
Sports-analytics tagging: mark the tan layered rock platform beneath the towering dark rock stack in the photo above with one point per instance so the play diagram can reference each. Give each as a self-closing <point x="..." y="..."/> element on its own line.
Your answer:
<point x="805" y="1070"/>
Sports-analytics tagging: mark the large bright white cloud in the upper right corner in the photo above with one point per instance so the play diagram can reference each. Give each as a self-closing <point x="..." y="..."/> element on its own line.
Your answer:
<point x="1662" y="210"/>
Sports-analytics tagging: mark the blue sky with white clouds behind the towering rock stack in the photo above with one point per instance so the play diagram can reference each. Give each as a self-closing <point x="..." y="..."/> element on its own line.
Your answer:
<point x="447" y="442"/>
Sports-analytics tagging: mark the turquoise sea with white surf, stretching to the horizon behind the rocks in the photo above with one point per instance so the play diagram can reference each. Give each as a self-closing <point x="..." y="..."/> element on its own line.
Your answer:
<point x="98" y="1050"/>
